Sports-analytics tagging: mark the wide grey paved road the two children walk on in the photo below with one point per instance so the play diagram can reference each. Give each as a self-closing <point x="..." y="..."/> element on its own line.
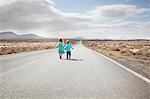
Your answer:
<point x="41" y="75"/>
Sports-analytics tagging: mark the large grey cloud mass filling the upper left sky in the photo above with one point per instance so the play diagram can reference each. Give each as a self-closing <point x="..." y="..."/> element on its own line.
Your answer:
<point x="27" y="15"/>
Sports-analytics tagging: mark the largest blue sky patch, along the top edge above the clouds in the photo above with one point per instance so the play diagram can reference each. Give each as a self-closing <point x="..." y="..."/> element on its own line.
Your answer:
<point x="81" y="6"/>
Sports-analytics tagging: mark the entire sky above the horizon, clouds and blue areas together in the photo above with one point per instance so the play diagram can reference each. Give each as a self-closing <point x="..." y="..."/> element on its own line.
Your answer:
<point x="101" y="19"/>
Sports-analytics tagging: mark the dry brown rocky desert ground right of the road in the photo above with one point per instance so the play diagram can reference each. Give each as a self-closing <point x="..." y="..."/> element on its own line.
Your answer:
<point x="132" y="54"/>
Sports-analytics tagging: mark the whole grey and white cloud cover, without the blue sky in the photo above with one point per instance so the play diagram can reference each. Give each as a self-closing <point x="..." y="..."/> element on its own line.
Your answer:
<point x="42" y="17"/>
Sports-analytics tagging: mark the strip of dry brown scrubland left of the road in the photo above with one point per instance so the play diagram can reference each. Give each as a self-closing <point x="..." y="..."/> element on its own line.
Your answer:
<point x="10" y="47"/>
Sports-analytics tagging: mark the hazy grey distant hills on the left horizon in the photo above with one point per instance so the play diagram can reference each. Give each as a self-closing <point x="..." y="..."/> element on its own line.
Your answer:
<point x="14" y="36"/>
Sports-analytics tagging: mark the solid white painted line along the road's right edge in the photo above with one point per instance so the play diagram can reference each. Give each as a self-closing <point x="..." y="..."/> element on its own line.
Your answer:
<point x="129" y="70"/>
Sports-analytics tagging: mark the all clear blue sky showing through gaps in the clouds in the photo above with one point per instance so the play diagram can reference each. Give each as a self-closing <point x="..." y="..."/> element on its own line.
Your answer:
<point x="82" y="6"/>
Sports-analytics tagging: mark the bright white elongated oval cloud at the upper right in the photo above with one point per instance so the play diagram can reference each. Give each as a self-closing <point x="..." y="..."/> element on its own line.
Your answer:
<point x="115" y="11"/>
